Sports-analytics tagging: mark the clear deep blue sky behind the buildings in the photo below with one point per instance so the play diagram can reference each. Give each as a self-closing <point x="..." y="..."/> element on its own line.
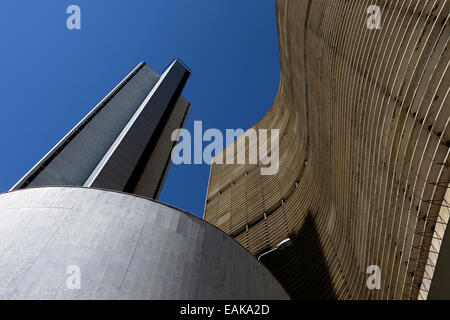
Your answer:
<point x="50" y="77"/>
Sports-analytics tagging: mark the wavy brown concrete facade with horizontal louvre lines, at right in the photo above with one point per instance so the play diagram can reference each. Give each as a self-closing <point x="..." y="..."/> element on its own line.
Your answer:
<point x="363" y="117"/>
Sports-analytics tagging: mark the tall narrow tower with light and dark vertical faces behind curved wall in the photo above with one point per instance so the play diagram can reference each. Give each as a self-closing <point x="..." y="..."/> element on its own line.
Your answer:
<point x="124" y="143"/>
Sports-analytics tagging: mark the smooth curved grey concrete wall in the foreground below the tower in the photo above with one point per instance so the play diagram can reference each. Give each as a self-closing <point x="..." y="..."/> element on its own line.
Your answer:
<point x="126" y="248"/>
